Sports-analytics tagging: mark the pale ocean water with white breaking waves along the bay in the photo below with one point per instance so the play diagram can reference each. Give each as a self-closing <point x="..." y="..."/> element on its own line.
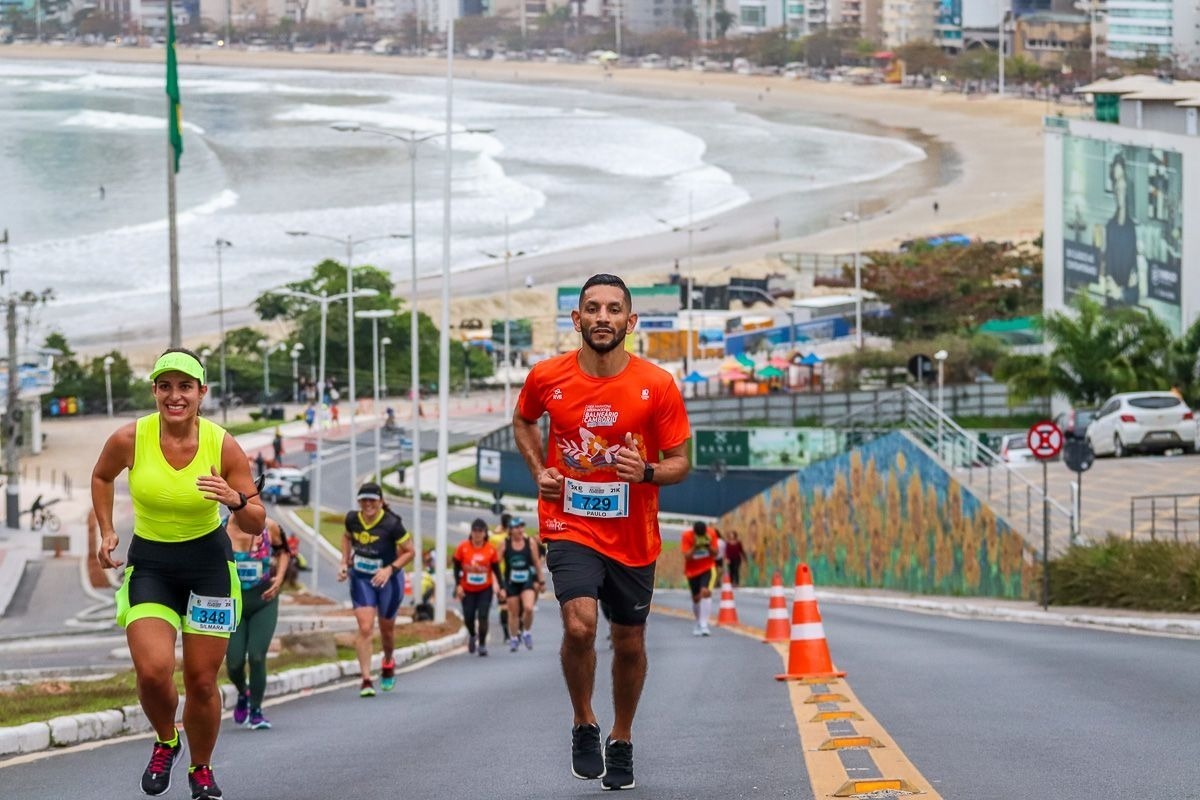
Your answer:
<point x="566" y="167"/>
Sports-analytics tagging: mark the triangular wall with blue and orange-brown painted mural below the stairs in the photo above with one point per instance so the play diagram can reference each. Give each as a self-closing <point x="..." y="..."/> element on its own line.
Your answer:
<point x="886" y="515"/>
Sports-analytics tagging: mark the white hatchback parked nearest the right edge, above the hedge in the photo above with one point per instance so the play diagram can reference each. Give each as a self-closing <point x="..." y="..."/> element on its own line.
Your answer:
<point x="1143" y="423"/>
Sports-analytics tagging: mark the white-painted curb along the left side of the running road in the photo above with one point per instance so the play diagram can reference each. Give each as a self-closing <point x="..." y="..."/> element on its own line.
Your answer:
<point x="74" y="730"/>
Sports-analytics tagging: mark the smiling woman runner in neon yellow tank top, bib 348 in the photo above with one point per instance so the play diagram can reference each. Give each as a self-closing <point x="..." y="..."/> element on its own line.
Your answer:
<point x="181" y="574"/>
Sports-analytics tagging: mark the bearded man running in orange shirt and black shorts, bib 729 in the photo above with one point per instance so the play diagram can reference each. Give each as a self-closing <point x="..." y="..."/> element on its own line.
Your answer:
<point x="619" y="430"/>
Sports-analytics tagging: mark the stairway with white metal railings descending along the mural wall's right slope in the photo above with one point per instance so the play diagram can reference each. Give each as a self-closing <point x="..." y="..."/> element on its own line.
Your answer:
<point x="1009" y="492"/>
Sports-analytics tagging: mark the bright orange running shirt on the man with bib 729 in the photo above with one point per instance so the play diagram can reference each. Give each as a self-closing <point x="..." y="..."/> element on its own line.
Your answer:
<point x="589" y="422"/>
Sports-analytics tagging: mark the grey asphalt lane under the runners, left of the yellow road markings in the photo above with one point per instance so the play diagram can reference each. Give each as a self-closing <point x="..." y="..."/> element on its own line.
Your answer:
<point x="471" y="727"/>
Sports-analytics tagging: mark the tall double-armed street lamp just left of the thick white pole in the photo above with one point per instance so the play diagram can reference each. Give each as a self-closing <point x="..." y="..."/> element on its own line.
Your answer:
<point x="412" y="140"/>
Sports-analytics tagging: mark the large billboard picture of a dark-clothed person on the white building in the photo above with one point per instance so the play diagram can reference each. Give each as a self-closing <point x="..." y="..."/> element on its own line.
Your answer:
<point x="1124" y="226"/>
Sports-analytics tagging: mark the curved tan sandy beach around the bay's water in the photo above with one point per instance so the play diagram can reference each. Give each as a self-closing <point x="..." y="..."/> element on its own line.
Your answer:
<point x="989" y="158"/>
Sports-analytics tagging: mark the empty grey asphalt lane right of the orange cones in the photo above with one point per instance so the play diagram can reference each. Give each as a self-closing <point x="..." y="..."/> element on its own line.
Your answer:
<point x="1003" y="711"/>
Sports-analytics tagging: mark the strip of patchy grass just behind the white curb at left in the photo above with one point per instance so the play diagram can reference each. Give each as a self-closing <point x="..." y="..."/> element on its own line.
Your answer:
<point x="45" y="701"/>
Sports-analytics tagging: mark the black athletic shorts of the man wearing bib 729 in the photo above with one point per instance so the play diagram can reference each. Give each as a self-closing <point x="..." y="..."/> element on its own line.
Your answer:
<point x="580" y="572"/>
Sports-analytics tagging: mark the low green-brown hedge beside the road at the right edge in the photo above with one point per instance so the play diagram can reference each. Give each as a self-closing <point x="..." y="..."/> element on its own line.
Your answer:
<point x="1123" y="574"/>
